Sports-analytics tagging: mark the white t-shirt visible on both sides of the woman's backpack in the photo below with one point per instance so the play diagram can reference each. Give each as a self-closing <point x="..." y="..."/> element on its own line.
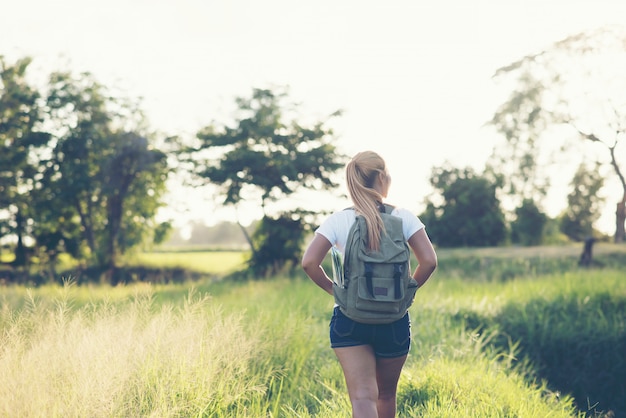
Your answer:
<point x="336" y="227"/>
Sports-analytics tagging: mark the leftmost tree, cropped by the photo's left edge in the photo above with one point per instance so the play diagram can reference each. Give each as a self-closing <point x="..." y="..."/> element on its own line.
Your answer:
<point x="22" y="140"/>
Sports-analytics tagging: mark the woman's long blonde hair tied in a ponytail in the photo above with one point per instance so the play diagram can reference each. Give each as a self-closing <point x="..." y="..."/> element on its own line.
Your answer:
<point x="361" y="173"/>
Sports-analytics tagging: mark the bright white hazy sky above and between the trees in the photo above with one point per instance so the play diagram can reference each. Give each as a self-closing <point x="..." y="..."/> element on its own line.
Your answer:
<point x="413" y="78"/>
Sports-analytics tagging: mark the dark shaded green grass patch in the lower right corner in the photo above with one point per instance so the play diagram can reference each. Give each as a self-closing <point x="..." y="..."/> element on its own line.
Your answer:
<point x="572" y="329"/>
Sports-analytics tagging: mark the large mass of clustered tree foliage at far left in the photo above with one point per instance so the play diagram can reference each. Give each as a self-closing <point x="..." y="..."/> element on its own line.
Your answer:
<point x="79" y="175"/>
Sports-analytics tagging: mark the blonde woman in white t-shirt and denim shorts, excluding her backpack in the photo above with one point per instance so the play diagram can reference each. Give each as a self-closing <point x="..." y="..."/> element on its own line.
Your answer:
<point x="370" y="356"/>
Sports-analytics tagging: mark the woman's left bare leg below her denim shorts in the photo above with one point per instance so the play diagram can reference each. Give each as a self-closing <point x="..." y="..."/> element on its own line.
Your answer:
<point x="359" y="368"/>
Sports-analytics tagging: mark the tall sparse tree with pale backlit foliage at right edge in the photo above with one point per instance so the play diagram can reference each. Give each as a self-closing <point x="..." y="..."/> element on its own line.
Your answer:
<point x="577" y="83"/>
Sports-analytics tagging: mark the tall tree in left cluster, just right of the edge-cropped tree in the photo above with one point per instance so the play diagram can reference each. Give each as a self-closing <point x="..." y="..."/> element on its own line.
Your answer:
<point x="82" y="125"/>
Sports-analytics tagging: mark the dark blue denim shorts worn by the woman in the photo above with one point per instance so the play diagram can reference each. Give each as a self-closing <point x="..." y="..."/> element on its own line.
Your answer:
<point x="387" y="340"/>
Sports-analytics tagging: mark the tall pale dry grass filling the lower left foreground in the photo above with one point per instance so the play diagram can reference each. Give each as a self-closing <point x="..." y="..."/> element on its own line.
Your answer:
<point x="137" y="360"/>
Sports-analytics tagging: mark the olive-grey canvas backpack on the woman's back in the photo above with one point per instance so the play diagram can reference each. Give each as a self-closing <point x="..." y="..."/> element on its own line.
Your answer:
<point x="377" y="286"/>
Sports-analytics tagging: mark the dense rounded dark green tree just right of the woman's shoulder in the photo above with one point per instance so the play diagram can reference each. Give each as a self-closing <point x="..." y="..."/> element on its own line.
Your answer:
<point x="469" y="212"/>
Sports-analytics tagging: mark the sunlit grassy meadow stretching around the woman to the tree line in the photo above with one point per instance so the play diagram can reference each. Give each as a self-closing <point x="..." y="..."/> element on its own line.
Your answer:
<point x="495" y="334"/>
